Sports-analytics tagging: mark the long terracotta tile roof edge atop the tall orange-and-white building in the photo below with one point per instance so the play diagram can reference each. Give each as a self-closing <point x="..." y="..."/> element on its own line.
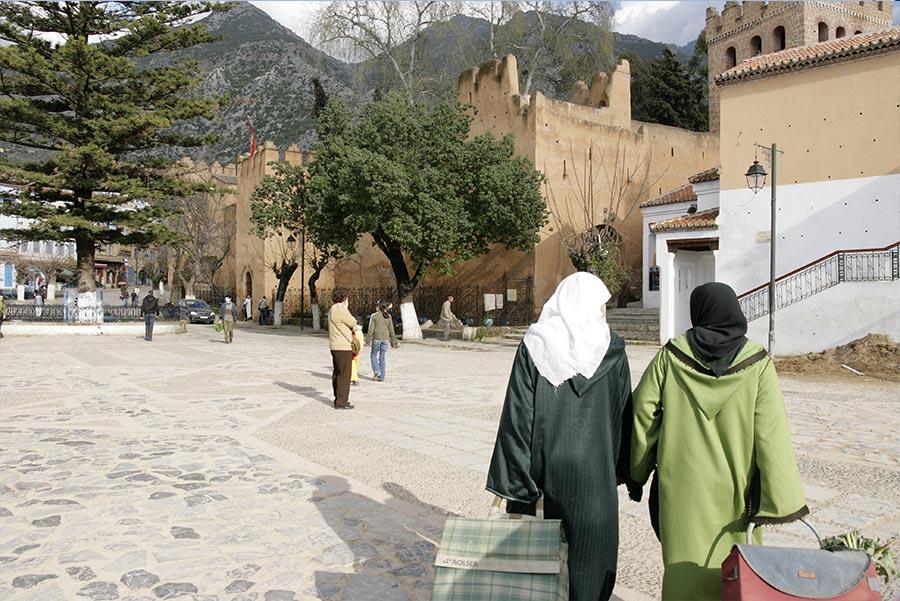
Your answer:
<point x="805" y="56"/>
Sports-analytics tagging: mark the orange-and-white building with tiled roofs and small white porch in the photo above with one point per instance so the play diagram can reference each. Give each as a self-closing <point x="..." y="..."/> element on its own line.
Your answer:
<point x="837" y="119"/>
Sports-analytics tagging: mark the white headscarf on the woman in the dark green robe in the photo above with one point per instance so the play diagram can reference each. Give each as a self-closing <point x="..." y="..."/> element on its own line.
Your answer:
<point x="572" y="336"/>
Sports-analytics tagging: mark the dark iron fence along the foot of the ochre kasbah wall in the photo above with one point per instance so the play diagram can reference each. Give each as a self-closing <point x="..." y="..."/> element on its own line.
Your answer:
<point x="469" y="301"/>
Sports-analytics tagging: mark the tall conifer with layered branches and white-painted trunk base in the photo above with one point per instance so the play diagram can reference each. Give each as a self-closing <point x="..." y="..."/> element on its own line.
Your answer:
<point x="70" y="90"/>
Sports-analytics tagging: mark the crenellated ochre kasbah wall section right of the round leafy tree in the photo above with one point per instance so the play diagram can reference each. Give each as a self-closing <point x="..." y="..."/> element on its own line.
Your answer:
<point x="631" y="159"/>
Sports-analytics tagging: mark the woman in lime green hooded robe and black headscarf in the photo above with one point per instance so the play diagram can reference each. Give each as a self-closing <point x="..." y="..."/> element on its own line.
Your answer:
<point x="710" y="424"/>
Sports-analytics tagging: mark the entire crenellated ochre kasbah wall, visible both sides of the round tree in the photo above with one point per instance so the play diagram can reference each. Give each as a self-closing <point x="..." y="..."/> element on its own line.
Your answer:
<point x="553" y="134"/>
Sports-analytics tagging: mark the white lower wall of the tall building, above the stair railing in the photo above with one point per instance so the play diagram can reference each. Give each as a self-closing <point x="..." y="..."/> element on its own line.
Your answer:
<point x="813" y="220"/>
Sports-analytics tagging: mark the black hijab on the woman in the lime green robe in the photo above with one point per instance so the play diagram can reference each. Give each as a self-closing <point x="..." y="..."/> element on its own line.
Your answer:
<point x="719" y="326"/>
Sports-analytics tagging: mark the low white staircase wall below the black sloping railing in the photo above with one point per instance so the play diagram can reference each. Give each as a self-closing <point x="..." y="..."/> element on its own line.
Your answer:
<point x="834" y="317"/>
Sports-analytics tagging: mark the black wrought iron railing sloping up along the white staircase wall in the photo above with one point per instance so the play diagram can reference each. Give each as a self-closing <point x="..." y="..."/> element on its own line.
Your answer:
<point x="881" y="265"/>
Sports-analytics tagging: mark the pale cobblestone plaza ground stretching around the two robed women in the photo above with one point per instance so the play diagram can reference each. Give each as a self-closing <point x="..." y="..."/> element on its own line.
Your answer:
<point x="190" y="468"/>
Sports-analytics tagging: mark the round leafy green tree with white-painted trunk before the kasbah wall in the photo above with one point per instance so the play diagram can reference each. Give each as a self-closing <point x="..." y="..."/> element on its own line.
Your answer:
<point x="428" y="194"/>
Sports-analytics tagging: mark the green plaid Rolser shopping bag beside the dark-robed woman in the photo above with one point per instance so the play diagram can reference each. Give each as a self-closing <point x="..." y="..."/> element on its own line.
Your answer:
<point x="501" y="559"/>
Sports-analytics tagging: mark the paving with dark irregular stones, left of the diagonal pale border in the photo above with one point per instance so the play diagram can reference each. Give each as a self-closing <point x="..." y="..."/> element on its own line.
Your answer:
<point x="113" y="488"/>
